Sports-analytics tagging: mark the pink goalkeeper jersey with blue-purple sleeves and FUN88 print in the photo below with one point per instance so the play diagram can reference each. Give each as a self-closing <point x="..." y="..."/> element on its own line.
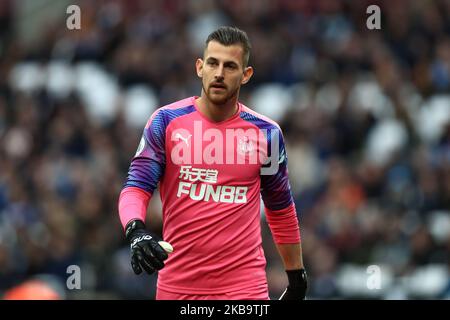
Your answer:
<point x="212" y="177"/>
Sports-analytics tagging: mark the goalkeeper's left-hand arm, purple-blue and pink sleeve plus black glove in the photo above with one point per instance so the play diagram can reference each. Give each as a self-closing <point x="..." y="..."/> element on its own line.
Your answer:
<point x="144" y="174"/>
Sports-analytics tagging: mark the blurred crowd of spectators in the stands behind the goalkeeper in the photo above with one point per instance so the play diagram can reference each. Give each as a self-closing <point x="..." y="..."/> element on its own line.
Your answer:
<point x="365" y="113"/>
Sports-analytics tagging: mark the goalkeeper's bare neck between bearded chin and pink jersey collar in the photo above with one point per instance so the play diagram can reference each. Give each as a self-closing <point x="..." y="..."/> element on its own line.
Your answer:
<point x="217" y="112"/>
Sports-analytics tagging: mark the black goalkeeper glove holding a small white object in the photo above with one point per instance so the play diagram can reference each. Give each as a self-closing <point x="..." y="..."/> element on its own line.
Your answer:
<point x="146" y="253"/>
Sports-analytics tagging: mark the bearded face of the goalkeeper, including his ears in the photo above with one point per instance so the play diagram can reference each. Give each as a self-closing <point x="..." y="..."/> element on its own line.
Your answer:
<point x="222" y="71"/>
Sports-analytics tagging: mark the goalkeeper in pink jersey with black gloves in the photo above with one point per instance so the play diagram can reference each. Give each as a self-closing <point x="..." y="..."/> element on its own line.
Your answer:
<point x="202" y="151"/>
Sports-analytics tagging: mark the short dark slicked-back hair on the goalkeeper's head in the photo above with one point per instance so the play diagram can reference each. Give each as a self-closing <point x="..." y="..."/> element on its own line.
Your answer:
<point x="228" y="36"/>
